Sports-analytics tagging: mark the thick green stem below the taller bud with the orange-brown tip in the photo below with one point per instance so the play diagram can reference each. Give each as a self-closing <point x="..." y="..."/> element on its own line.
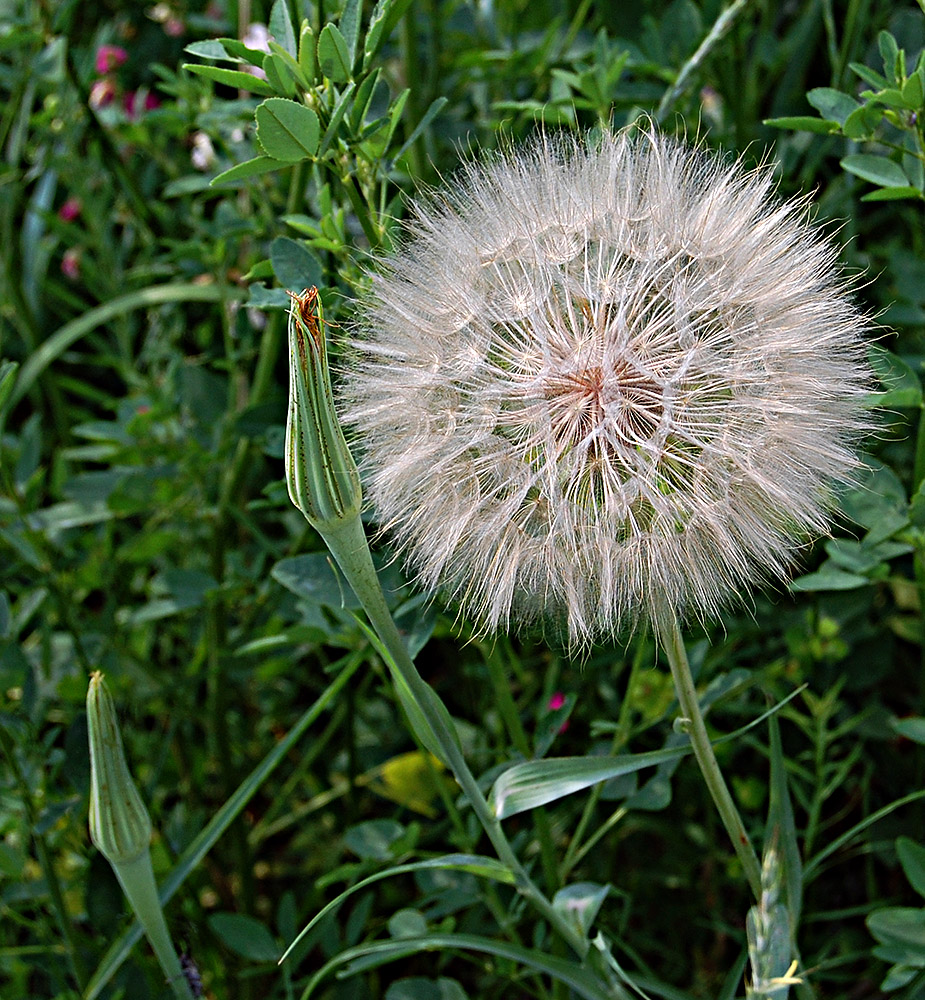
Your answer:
<point x="348" y="545"/>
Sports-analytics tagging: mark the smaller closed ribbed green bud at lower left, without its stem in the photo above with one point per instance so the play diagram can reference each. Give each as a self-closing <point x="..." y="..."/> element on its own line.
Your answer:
<point x="120" y="826"/>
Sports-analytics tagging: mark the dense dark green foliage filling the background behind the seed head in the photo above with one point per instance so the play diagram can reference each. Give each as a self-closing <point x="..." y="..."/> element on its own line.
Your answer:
<point x="145" y="529"/>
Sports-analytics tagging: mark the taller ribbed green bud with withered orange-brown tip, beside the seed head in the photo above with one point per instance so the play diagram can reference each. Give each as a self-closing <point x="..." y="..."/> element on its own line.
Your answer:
<point x="320" y="472"/>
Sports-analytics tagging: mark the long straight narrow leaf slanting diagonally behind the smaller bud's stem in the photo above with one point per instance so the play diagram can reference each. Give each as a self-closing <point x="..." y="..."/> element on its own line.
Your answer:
<point x="220" y="822"/>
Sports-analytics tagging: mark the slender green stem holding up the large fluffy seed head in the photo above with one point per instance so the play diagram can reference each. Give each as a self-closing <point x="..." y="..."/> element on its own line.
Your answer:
<point x="673" y="644"/>
